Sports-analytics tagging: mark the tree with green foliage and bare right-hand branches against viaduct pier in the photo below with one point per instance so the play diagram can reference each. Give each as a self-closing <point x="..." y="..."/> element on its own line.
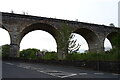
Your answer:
<point x="66" y="43"/>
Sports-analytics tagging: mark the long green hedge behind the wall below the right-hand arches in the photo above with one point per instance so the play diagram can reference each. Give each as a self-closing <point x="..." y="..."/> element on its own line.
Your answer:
<point x="111" y="56"/>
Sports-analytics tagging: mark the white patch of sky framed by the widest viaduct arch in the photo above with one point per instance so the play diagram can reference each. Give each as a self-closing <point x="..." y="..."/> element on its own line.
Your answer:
<point x="42" y="41"/>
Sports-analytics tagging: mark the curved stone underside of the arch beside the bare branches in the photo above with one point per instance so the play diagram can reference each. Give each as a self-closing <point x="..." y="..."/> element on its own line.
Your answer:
<point x="91" y="38"/>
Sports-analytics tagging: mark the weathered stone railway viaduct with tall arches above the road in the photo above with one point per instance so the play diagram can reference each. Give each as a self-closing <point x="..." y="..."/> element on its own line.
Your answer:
<point x="19" y="25"/>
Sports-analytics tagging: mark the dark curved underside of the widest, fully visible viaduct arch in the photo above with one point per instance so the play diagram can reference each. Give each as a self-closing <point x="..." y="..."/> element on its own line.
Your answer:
<point x="40" y="26"/>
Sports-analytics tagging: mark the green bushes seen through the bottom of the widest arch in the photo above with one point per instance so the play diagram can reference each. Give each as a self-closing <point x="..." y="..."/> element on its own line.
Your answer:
<point x="36" y="54"/>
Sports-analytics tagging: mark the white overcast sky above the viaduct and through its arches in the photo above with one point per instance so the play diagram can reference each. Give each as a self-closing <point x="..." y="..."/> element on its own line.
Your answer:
<point x="91" y="11"/>
